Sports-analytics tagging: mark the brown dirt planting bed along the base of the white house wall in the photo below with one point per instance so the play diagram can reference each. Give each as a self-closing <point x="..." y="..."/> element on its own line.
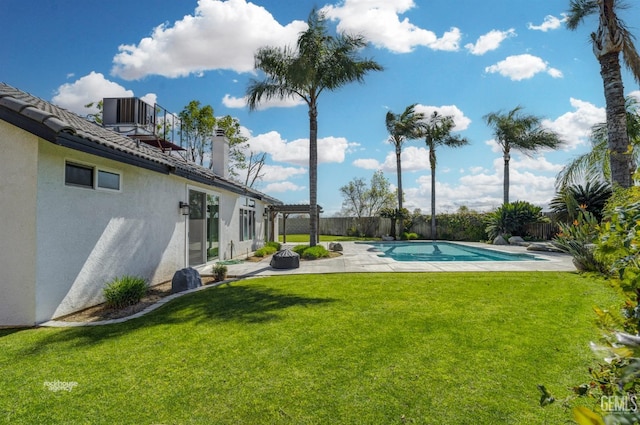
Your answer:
<point x="102" y="312"/>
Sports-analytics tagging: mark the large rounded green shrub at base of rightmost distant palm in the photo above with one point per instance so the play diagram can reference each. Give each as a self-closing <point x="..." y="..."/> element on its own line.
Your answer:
<point x="513" y="218"/>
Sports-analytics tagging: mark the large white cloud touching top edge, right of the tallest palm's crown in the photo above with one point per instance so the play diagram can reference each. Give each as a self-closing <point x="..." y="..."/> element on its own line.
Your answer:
<point x="379" y="21"/>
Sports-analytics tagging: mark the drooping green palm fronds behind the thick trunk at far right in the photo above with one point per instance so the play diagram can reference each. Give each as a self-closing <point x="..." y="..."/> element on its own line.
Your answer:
<point x="595" y="164"/>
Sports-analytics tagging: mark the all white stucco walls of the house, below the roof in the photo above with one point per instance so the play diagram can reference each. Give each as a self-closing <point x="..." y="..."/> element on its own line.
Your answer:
<point x="62" y="244"/>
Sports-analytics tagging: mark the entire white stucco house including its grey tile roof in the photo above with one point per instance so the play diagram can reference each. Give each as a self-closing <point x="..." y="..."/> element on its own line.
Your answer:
<point x="62" y="243"/>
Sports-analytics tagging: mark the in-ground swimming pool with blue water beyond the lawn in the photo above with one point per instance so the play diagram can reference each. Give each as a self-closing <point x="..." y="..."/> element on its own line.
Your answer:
<point x="443" y="251"/>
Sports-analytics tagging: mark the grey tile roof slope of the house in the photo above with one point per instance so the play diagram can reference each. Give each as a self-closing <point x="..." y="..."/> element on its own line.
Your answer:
<point x="60" y="121"/>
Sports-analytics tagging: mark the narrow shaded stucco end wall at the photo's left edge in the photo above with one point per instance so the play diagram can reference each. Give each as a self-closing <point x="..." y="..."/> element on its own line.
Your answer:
<point x="18" y="162"/>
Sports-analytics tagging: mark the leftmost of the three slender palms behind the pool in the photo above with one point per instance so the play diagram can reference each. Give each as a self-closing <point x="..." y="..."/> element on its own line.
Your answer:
<point x="402" y="127"/>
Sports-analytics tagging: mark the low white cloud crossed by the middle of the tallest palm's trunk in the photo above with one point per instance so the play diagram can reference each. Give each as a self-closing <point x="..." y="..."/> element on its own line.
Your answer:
<point x="330" y="149"/>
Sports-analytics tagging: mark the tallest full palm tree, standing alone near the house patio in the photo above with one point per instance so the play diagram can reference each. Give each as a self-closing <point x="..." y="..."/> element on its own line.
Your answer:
<point x="320" y="62"/>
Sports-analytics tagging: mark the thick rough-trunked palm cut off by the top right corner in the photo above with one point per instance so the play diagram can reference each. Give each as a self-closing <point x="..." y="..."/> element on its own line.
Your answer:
<point x="611" y="39"/>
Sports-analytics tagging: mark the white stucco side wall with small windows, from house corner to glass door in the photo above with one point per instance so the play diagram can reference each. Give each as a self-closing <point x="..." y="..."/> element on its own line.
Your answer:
<point x="86" y="237"/>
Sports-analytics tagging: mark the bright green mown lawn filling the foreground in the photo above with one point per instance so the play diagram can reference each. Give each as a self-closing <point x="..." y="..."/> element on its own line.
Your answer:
<point x="428" y="348"/>
